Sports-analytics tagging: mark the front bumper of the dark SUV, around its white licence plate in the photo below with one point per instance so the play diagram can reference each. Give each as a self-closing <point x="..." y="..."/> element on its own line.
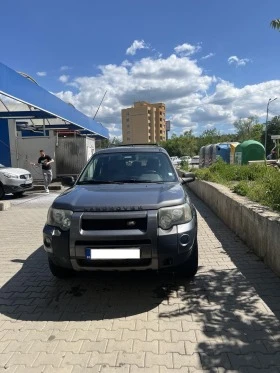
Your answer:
<point x="159" y="249"/>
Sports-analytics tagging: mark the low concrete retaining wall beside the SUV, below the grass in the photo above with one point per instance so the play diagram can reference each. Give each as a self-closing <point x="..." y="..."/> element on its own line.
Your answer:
<point x="256" y="225"/>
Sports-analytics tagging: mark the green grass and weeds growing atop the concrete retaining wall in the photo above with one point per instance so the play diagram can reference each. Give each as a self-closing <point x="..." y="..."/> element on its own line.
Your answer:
<point x="257" y="182"/>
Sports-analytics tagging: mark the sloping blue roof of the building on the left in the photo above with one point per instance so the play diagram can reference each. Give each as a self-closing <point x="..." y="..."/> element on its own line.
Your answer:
<point x="38" y="103"/>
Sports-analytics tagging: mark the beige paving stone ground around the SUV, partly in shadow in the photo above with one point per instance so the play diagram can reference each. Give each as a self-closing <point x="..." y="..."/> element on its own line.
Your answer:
<point x="225" y="320"/>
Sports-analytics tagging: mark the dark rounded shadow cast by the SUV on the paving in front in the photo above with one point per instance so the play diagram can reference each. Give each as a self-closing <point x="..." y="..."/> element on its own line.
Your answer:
<point x="34" y="294"/>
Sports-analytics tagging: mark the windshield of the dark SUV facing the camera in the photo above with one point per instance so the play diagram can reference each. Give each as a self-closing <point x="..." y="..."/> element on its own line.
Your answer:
<point x="138" y="167"/>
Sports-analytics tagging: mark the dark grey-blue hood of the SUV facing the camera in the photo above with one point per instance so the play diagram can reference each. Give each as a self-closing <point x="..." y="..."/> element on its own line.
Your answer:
<point x="121" y="197"/>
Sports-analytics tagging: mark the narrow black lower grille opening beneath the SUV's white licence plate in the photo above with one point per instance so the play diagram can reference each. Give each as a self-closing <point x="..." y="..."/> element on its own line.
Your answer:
<point x="114" y="263"/>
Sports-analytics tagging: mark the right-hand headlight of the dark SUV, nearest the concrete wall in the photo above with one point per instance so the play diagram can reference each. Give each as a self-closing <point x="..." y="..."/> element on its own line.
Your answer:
<point x="169" y="216"/>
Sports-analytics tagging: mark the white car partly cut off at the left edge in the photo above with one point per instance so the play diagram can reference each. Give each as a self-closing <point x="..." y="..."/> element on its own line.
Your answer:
<point x="14" y="180"/>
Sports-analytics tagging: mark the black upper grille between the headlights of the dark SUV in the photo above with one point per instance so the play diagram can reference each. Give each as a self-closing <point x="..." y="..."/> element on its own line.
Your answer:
<point x="114" y="224"/>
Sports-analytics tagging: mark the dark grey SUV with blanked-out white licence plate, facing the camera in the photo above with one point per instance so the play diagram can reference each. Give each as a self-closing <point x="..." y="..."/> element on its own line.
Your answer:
<point x="128" y="210"/>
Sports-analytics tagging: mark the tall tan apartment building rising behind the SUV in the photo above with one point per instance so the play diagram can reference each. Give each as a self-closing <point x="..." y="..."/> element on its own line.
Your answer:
<point x="144" y="123"/>
